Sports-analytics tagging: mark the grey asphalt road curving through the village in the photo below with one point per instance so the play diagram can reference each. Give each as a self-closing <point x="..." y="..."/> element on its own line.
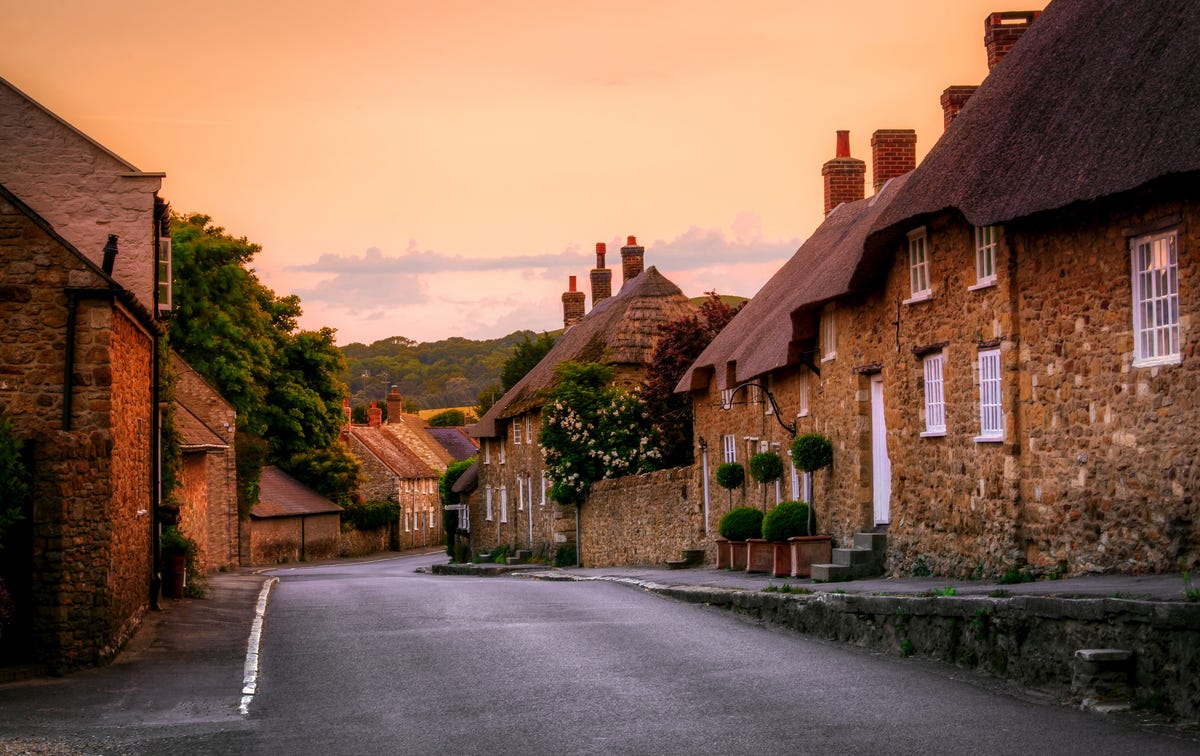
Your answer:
<point x="373" y="658"/>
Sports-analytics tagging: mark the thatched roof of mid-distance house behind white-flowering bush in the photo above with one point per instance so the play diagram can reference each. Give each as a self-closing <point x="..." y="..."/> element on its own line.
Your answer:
<point x="623" y="329"/>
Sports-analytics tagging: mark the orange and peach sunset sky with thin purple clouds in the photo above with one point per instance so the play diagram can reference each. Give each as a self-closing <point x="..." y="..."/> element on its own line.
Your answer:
<point x="436" y="170"/>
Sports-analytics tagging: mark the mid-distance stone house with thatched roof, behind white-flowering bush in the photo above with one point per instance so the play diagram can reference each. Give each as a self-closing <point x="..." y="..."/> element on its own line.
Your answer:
<point x="509" y="506"/>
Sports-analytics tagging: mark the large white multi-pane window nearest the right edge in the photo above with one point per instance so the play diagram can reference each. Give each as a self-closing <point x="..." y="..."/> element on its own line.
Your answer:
<point x="1156" y="299"/>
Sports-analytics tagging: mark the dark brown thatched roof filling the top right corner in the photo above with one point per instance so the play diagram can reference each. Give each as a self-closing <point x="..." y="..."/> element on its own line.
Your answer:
<point x="1096" y="99"/>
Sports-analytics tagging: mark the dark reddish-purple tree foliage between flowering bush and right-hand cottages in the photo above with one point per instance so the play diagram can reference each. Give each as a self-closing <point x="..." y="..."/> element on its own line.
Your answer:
<point x="680" y="344"/>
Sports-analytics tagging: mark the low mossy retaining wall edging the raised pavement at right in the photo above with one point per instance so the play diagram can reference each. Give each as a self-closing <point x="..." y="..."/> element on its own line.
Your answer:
<point x="1029" y="640"/>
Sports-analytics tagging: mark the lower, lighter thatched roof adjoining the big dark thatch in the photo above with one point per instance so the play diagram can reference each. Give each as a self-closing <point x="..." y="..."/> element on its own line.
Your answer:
<point x="763" y="337"/>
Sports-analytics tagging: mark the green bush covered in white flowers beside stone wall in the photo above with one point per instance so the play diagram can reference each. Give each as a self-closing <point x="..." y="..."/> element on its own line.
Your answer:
<point x="592" y="430"/>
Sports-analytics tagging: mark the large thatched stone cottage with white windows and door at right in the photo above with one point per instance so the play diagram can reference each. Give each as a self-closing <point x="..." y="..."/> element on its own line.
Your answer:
<point x="999" y="344"/>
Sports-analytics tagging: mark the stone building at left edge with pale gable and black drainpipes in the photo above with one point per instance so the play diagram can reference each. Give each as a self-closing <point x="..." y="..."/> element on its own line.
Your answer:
<point x="86" y="250"/>
